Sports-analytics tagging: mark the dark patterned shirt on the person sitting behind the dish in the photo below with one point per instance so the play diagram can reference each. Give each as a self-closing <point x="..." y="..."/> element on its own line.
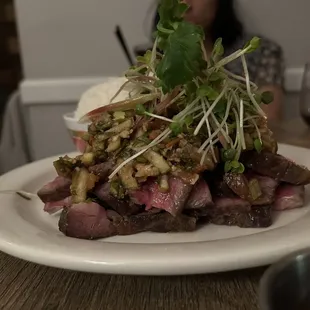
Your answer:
<point x="266" y="65"/>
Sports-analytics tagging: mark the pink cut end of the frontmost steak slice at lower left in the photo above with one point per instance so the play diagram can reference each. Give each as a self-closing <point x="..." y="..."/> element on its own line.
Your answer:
<point x="86" y="221"/>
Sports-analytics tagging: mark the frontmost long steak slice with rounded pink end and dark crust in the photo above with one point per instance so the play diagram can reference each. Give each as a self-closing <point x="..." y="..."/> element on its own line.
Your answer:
<point x="91" y="221"/>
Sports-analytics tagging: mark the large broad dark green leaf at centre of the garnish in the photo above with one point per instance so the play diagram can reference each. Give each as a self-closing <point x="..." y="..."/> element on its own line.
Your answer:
<point x="183" y="58"/>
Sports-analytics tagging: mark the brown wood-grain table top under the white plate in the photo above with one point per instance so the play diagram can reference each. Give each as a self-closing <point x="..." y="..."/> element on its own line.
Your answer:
<point x="26" y="286"/>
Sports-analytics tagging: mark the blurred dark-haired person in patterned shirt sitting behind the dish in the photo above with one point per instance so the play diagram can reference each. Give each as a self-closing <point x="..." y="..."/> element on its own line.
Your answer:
<point x="266" y="64"/>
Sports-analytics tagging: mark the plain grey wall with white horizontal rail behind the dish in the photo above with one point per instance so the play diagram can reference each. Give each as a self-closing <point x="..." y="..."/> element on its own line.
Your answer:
<point x="69" y="46"/>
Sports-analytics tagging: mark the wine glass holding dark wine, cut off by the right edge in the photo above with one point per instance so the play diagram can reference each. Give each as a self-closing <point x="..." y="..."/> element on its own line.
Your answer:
<point x="304" y="104"/>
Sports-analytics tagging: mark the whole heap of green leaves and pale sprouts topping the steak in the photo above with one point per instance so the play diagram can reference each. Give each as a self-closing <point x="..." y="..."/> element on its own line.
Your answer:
<point x="195" y="93"/>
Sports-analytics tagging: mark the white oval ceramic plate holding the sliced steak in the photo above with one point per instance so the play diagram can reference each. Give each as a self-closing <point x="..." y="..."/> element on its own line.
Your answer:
<point x="29" y="233"/>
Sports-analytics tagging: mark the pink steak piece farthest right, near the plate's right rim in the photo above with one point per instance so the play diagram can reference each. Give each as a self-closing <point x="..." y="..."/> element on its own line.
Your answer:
<point x="289" y="197"/>
